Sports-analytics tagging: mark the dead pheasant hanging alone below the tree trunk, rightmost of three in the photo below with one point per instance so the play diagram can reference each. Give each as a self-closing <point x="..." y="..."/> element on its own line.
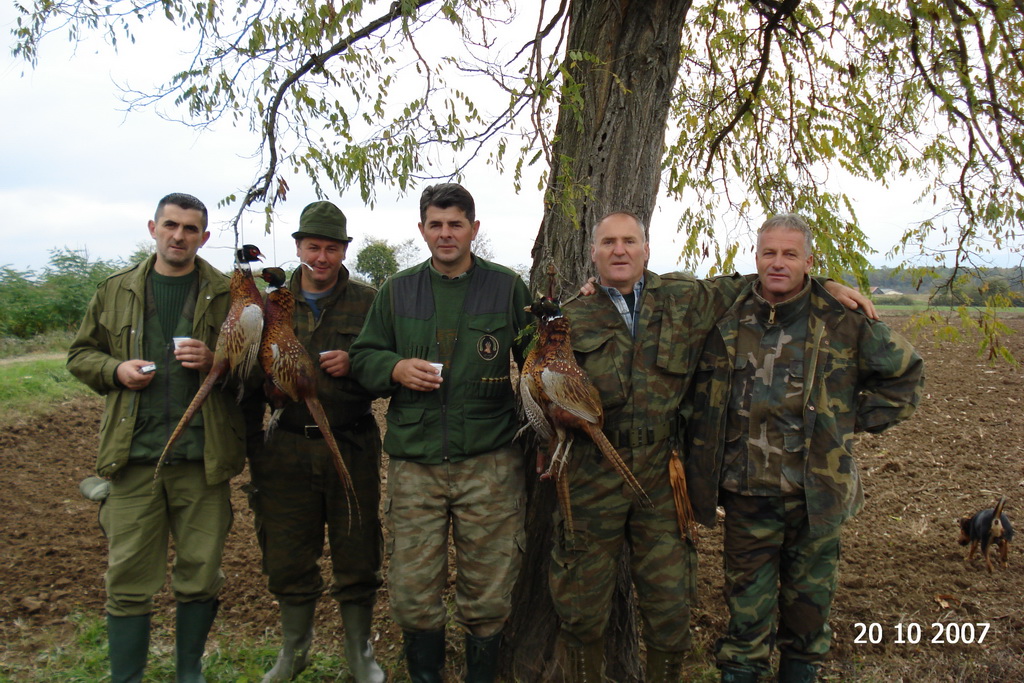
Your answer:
<point x="560" y="400"/>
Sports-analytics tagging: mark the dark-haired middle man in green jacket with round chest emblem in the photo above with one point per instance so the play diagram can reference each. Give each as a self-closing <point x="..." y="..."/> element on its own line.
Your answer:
<point x="450" y="436"/>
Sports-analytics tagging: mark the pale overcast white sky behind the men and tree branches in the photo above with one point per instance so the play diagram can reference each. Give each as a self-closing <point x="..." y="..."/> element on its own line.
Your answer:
<point x="79" y="173"/>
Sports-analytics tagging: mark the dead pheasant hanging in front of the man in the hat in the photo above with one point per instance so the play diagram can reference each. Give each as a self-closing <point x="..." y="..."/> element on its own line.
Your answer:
<point x="290" y="372"/>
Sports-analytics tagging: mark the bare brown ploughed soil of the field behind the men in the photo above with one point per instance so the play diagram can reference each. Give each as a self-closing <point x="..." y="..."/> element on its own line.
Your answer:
<point x="908" y="607"/>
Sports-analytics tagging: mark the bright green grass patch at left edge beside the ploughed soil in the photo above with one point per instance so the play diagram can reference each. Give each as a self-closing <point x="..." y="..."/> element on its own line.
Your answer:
<point x="30" y="388"/>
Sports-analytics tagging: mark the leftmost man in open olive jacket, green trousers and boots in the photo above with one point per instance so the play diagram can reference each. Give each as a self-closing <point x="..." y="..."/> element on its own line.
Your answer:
<point x="129" y="328"/>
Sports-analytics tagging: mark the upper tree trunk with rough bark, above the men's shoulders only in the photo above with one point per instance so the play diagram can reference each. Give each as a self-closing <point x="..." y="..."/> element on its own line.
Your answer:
<point x="608" y="150"/>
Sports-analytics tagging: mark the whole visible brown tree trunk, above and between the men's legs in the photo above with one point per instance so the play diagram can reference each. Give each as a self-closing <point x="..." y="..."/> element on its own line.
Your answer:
<point x="608" y="155"/>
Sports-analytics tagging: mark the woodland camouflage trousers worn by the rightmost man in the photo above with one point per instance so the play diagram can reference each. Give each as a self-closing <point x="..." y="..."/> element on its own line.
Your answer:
<point x="773" y="566"/>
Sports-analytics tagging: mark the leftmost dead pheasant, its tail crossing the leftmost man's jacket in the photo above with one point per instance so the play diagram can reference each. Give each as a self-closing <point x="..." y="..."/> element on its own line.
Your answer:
<point x="238" y="345"/>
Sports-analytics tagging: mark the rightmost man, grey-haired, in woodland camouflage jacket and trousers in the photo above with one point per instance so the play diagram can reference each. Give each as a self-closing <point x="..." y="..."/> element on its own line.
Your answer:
<point x="785" y="381"/>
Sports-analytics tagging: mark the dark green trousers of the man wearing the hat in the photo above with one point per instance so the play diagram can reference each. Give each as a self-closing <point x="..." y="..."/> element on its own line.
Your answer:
<point x="296" y="493"/>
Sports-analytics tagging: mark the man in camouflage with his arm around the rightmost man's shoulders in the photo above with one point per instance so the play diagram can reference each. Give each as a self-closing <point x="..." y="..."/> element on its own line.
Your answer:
<point x="639" y="339"/>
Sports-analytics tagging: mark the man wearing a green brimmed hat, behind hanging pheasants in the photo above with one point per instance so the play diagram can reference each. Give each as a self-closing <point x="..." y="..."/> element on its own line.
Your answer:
<point x="295" y="490"/>
